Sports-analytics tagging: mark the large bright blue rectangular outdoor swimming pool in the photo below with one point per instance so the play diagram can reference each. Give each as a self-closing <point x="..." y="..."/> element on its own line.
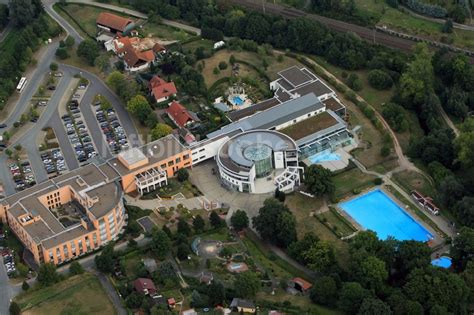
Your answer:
<point x="377" y="212"/>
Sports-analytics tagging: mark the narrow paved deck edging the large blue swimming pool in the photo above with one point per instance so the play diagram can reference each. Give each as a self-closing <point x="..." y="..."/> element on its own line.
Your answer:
<point x="437" y="238"/>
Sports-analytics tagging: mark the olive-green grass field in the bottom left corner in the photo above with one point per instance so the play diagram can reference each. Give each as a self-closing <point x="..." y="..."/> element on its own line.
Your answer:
<point x="76" y="295"/>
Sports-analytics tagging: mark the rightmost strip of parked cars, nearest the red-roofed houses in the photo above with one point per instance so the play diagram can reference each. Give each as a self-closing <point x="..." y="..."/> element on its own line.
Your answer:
<point x="110" y="125"/>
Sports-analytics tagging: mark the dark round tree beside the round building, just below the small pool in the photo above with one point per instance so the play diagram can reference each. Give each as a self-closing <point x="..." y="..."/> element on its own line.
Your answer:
<point x="318" y="180"/>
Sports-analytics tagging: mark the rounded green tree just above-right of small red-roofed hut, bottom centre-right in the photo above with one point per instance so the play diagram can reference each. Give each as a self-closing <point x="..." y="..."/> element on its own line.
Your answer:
<point x="320" y="257"/>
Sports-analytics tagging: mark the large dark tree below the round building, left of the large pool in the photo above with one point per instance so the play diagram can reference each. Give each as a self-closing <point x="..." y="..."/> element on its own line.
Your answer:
<point x="275" y="223"/>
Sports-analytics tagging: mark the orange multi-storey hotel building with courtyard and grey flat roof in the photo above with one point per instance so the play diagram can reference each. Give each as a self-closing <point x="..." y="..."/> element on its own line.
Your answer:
<point x="73" y="214"/>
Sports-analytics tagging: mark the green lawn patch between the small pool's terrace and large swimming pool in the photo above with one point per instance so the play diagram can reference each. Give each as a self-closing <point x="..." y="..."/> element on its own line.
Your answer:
<point x="348" y="181"/>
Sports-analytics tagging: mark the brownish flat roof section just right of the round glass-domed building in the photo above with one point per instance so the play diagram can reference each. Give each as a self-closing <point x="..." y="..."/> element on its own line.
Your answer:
<point x="309" y="126"/>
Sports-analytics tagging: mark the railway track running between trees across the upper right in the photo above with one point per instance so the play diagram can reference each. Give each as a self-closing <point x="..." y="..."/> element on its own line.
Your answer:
<point x="370" y="35"/>
